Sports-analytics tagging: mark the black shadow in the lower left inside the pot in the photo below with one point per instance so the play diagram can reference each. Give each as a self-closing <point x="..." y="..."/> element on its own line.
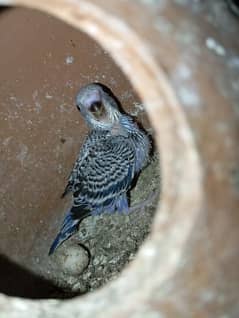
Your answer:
<point x="19" y="282"/>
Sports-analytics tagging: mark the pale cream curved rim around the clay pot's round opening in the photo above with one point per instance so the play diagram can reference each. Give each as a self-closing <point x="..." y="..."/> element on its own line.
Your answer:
<point x="161" y="252"/>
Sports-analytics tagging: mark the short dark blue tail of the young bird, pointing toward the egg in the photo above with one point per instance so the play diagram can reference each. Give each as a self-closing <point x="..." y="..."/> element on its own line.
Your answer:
<point x="69" y="227"/>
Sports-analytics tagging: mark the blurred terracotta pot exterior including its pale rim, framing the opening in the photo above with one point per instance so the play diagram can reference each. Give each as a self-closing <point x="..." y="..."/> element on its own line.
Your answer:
<point x="182" y="60"/>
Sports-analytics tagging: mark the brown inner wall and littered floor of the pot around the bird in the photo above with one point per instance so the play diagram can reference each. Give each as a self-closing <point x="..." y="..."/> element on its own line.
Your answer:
<point x="41" y="133"/>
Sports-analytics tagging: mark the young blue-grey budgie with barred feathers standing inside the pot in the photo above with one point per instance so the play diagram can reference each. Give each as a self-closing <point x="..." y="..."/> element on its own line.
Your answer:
<point x="113" y="154"/>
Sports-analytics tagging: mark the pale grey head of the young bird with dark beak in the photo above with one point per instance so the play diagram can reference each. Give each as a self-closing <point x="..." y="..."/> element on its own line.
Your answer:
<point x="97" y="106"/>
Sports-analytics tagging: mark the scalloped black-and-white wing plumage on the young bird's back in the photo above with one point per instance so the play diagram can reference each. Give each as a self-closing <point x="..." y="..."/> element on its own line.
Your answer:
<point x="105" y="173"/>
